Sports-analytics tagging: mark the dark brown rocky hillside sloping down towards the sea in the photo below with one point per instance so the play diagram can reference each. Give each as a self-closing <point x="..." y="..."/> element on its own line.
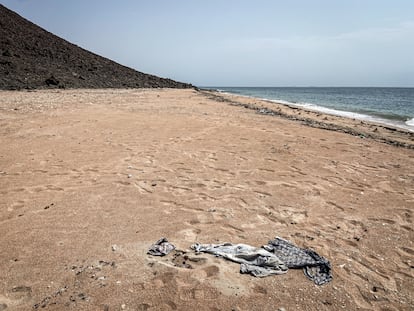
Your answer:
<point x="31" y="57"/>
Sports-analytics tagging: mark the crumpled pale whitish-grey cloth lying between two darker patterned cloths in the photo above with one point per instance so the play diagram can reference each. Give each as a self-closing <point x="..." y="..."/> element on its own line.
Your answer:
<point x="256" y="261"/>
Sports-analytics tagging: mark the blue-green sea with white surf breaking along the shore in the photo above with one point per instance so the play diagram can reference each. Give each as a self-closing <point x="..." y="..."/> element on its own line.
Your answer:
<point x="386" y="105"/>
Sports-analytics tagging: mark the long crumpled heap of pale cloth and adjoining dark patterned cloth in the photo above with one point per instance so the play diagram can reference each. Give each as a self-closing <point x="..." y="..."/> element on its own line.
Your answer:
<point x="274" y="258"/>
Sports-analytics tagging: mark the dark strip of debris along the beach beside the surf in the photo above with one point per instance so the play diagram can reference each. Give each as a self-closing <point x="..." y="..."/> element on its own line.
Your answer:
<point x="315" y="123"/>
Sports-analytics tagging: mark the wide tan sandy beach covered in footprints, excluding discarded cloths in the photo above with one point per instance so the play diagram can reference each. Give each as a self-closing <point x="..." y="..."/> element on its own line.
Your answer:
<point x="89" y="179"/>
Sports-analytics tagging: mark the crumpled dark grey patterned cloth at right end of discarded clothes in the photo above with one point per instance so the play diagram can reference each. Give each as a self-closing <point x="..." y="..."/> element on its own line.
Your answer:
<point x="315" y="267"/>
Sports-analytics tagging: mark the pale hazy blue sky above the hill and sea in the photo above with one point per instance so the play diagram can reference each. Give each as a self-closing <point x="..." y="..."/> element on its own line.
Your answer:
<point x="242" y="43"/>
